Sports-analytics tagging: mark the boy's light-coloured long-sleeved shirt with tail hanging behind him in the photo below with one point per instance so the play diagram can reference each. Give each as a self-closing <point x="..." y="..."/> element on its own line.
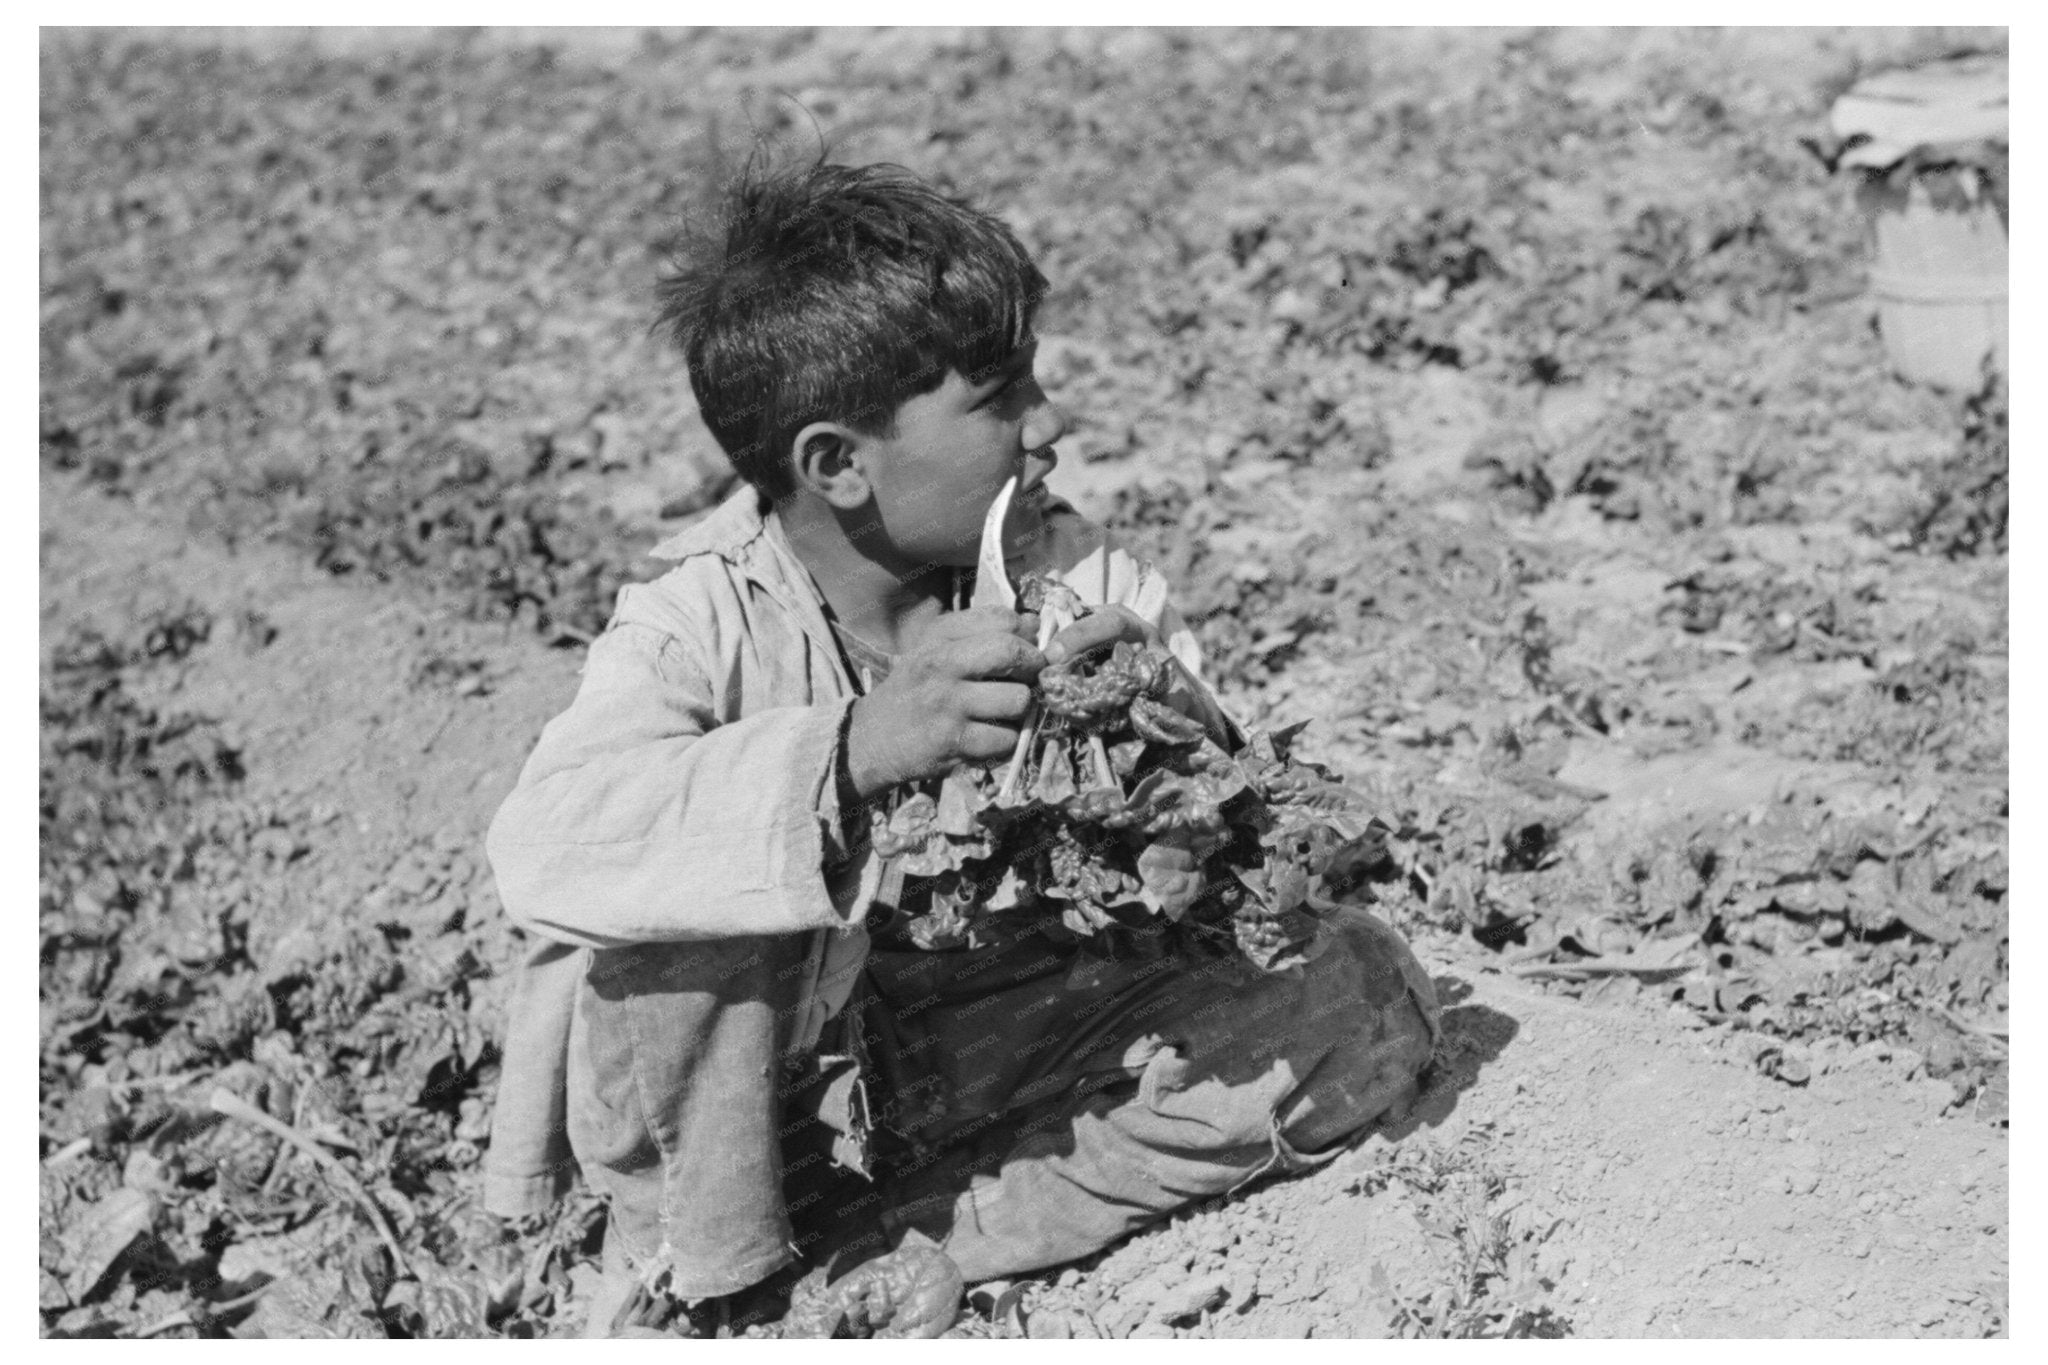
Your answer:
<point x="691" y="791"/>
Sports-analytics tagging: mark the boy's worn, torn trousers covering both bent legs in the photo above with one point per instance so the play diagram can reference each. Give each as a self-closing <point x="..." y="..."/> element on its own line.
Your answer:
<point x="1002" y="1114"/>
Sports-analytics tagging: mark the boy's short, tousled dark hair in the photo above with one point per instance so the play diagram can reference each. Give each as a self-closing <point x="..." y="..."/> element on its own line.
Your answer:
<point x="835" y="294"/>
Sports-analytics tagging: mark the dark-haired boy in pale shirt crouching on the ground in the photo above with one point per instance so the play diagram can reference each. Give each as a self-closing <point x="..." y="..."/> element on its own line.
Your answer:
<point x="722" y="1016"/>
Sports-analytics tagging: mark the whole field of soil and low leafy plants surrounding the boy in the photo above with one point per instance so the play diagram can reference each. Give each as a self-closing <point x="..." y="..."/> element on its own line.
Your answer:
<point x="1502" y="402"/>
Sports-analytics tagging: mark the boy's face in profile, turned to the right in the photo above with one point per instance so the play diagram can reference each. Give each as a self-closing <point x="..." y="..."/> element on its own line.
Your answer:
<point x="951" y="455"/>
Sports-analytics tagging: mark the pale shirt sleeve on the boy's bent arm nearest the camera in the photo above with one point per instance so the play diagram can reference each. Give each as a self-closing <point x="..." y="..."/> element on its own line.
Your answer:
<point x="640" y="818"/>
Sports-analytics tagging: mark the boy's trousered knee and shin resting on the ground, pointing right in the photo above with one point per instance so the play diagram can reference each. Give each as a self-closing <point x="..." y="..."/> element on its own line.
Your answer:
<point x="1250" y="1071"/>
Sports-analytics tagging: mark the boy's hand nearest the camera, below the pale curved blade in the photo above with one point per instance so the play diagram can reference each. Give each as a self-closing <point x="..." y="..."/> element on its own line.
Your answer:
<point x="957" y="697"/>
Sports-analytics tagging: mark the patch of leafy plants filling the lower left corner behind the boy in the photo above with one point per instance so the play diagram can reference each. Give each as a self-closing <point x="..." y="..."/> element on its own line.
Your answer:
<point x="161" y="1208"/>
